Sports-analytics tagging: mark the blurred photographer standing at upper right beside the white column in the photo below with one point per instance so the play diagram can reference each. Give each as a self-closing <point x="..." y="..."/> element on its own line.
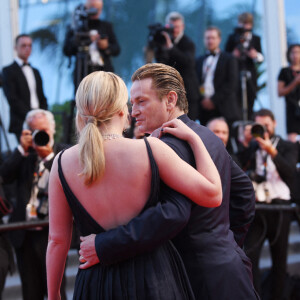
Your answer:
<point x="246" y="46"/>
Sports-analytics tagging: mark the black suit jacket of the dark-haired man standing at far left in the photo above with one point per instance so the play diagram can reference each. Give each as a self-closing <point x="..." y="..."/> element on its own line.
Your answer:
<point x="18" y="95"/>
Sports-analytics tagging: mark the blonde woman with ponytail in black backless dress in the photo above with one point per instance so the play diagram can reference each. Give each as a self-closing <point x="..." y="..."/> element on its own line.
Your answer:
<point x="106" y="180"/>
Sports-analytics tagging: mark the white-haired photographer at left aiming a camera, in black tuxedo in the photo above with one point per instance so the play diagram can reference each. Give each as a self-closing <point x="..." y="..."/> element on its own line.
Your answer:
<point x="30" y="165"/>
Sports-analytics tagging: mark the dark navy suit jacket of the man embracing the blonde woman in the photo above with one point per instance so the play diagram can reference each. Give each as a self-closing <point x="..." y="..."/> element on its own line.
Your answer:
<point x="206" y="243"/>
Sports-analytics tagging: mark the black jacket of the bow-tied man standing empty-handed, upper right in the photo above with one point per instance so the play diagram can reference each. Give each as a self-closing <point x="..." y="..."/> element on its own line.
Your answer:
<point x="225" y="82"/>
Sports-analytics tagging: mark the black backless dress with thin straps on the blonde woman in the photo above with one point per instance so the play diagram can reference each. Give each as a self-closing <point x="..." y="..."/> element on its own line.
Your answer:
<point x="157" y="275"/>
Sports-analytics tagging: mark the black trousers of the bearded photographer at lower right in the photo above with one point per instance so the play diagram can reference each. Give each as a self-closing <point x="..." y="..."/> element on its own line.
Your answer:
<point x="273" y="225"/>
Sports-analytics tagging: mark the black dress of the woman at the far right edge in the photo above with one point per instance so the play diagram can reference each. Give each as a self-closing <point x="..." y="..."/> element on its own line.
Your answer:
<point x="292" y="101"/>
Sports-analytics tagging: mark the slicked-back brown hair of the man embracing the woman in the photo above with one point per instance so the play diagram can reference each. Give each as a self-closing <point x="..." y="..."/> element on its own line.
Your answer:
<point x="164" y="80"/>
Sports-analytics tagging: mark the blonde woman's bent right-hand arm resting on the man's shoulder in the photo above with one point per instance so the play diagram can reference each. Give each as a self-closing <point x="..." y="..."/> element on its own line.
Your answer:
<point x="202" y="187"/>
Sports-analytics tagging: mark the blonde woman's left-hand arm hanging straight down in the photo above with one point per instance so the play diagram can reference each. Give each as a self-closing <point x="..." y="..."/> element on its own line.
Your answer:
<point x="60" y="234"/>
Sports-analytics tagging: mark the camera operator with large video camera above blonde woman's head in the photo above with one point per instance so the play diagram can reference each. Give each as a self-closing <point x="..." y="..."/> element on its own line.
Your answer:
<point x="92" y="40"/>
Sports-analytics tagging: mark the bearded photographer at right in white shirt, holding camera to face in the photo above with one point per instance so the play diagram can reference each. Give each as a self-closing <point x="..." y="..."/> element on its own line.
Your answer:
<point x="270" y="162"/>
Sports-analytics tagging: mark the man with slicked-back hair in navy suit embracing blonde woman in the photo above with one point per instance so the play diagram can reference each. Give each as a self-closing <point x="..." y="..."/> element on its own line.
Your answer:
<point x="217" y="267"/>
